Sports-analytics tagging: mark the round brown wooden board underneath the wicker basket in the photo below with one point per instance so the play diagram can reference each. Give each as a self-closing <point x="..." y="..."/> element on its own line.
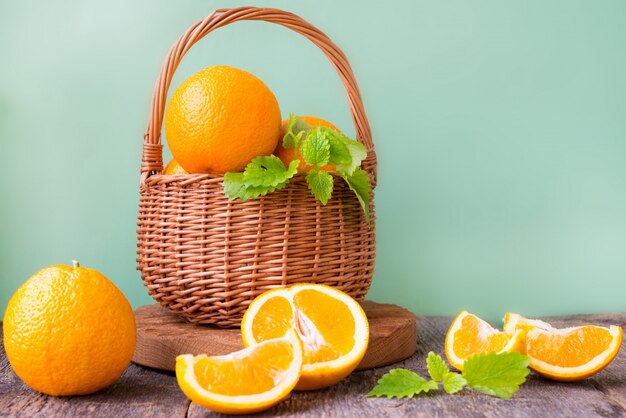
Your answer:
<point x="161" y="336"/>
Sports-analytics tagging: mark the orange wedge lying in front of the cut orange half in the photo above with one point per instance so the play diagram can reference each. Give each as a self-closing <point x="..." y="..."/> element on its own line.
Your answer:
<point x="243" y="382"/>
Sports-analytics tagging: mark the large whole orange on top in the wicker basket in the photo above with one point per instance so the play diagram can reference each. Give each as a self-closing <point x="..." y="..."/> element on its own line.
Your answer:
<point x="219" y="119"/>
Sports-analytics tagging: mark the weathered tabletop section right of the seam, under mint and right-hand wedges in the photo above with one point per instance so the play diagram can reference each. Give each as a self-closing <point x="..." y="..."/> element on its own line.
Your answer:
<point x="600" y="396"/>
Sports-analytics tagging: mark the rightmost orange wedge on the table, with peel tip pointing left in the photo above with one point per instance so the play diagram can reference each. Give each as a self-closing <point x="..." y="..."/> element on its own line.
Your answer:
<point x="567" y="354"/>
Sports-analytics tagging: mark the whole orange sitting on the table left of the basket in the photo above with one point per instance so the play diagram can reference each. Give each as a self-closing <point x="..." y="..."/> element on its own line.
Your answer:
<point x="69" y="331"/>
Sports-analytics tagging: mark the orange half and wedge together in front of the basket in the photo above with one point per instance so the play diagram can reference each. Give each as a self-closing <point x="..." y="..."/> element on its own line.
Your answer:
<point x="306" y="337"/>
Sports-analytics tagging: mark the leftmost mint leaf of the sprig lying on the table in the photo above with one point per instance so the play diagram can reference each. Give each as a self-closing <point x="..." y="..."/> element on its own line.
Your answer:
<point x="401" y="383"/>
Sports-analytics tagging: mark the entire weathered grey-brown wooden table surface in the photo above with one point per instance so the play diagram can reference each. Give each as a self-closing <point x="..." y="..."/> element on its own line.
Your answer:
<point x="152" y="393"/>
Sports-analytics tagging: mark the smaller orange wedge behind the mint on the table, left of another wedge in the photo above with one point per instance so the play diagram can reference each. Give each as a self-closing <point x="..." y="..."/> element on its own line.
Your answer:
<point x="469" y="335"/>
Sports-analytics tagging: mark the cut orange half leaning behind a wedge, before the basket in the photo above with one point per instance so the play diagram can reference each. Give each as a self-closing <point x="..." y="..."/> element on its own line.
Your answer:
<point x="332" y="326"/>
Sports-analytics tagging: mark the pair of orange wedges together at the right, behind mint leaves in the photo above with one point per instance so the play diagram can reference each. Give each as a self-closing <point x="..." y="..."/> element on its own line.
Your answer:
<point x="565" y="354"/>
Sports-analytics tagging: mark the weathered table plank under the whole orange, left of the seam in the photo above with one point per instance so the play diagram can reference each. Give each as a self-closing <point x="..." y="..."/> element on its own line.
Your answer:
<point x="139" y="392"/>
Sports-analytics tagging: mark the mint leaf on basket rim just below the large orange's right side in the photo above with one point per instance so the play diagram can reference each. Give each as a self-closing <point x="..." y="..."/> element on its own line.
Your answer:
<point x="268" y="171"/>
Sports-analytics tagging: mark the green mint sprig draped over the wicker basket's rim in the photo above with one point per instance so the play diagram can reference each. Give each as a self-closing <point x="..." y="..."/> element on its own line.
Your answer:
<point x="318" y="147"/>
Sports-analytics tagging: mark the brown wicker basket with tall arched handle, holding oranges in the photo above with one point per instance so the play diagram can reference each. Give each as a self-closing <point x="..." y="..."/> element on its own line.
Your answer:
<point x="205" y="257"/>
